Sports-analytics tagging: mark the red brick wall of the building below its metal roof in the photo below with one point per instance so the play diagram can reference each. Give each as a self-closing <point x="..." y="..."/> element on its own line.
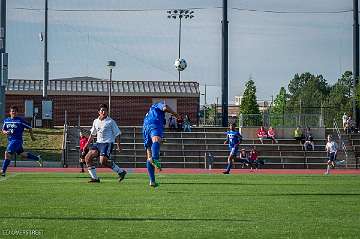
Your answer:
<point x="125" y="110"/>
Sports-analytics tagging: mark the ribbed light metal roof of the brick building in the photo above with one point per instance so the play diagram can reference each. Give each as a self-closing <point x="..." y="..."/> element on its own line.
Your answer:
<point x="95" y="86"/>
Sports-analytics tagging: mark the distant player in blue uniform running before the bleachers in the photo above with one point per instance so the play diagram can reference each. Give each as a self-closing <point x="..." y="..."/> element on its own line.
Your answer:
<point x="233" y="139"/>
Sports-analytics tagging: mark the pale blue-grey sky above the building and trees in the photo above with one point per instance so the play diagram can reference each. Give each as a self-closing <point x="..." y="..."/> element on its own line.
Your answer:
<point x="269" y="40"/>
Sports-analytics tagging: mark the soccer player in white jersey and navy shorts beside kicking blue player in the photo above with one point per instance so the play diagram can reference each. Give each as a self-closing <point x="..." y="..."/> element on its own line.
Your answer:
<point x="107" y="132"/>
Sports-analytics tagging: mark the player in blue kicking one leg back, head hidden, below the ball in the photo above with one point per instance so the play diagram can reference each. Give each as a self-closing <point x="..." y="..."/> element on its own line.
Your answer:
<point x="153" y="129"/>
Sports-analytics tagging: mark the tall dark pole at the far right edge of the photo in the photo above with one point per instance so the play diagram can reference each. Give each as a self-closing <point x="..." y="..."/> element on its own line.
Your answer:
<point x="356" y="114"/>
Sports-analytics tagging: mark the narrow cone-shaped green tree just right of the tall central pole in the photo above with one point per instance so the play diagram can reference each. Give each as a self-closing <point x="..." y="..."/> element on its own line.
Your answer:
<point x="249" y="105"/>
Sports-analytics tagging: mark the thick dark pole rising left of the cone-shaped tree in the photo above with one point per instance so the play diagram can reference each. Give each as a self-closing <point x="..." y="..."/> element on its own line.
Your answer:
<point x="224" y="66"/>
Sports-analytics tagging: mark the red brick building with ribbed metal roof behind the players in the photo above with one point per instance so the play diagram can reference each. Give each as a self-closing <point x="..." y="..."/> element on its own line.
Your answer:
<point x="81" y="96"/>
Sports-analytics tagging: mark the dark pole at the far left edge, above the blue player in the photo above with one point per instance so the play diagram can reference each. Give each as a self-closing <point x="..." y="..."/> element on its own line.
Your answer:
<point x="3" y="57"/>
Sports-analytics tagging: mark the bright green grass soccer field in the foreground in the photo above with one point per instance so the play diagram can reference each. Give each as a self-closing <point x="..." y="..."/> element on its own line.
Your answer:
<point x="58" y="205"/>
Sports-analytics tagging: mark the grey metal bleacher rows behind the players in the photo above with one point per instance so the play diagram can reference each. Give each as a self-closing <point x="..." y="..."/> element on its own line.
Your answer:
<point x="190" y="149"/>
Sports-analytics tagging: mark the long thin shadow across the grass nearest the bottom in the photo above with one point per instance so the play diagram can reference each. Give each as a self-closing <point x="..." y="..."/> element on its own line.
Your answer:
<point x="140" y="219"/>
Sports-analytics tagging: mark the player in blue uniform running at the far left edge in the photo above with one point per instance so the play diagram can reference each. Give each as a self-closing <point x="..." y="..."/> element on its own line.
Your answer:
<point x="14" y="127"/>
